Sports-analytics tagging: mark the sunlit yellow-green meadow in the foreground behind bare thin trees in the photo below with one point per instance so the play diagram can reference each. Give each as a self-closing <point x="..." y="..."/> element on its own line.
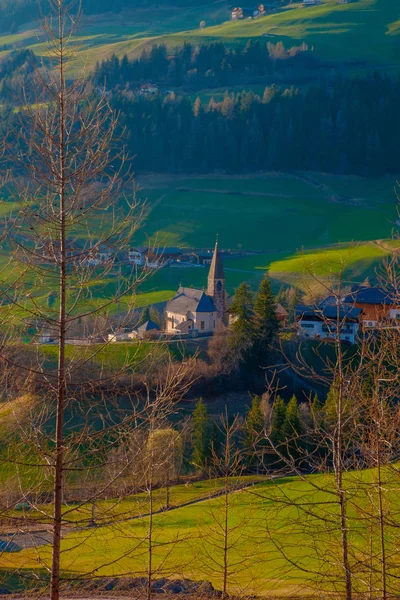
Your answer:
<point x="261" y="519"/>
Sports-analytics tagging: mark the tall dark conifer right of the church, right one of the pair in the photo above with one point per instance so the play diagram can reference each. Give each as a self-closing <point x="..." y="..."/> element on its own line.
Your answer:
<point x="266" y="323"/>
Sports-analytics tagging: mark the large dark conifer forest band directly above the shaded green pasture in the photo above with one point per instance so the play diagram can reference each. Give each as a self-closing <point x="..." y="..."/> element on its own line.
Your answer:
<point x="339" y="126"/>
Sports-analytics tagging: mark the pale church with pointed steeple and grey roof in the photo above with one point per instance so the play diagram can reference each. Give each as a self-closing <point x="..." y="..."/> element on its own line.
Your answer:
<point x="195" y="312"/>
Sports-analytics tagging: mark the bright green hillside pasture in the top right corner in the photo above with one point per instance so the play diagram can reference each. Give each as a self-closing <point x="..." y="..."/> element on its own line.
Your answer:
<point x="363" y="30"/>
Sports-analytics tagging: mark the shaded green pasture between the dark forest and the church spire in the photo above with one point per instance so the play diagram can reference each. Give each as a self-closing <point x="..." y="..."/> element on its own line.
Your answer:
<point x="267" y="213"/>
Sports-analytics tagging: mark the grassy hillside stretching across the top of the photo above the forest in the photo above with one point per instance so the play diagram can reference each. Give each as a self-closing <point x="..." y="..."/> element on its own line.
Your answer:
<point x="341" y="32"/>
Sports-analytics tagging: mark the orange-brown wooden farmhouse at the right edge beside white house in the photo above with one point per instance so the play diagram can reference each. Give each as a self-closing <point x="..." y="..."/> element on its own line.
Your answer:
<point x="379" y="307"/>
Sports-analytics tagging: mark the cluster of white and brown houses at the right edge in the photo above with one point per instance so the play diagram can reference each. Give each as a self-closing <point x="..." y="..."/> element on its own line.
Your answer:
<point x="365" y="308"/>
